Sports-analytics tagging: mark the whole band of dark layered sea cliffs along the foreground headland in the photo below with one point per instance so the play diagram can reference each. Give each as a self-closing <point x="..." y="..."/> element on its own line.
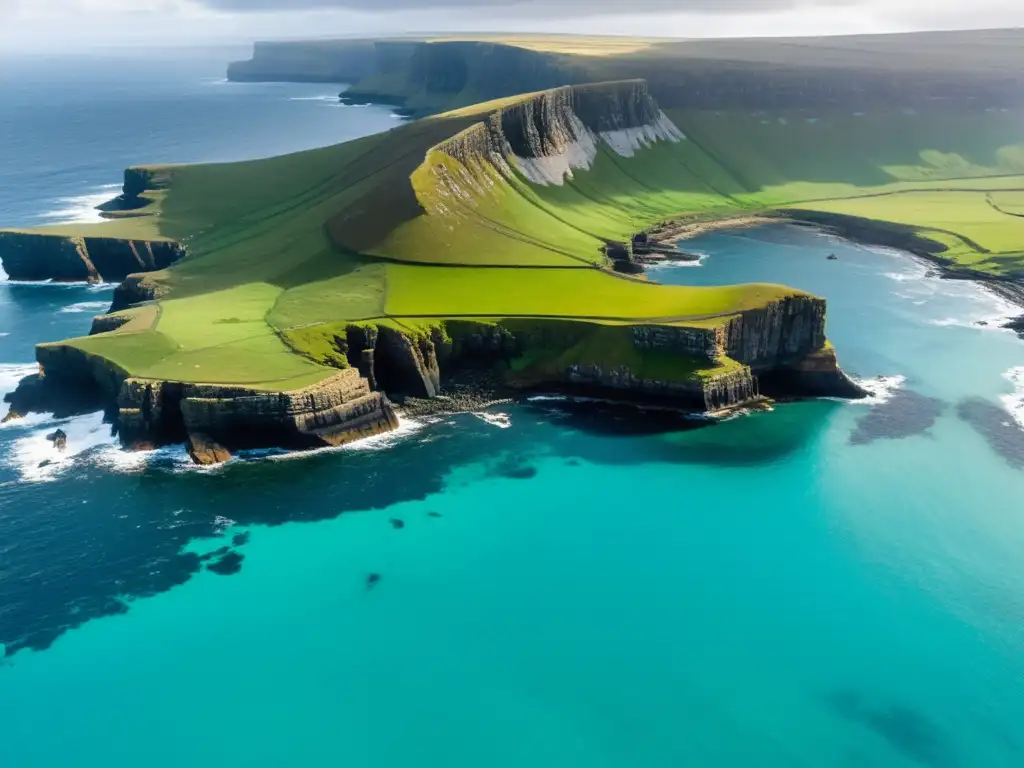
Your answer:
<point x="780" y="349"/>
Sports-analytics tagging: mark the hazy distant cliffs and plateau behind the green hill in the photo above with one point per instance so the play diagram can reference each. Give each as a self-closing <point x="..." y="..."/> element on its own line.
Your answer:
<point x="857" y="73"/>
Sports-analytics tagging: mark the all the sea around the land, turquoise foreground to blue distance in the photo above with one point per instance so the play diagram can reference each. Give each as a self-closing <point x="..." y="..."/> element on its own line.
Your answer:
<point x="826" y="585"/>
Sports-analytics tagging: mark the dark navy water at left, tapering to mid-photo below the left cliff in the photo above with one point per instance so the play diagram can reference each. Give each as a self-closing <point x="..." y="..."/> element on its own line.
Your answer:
<point x="86" y="562"/>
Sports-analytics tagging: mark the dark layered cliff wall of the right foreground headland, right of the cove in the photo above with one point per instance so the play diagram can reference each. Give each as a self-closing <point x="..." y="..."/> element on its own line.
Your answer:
<point x="783" y="344"/>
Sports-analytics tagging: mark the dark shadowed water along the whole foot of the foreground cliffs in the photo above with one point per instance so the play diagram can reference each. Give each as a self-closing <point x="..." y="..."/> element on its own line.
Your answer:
<point x="84" y="562"/>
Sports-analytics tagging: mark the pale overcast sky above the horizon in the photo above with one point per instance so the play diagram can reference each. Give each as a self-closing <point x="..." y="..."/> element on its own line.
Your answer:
<point x="74" y="25"/>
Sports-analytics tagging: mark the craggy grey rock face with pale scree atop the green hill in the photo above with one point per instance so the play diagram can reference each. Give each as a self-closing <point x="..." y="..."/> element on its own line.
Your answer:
<point x="549" y="136"/>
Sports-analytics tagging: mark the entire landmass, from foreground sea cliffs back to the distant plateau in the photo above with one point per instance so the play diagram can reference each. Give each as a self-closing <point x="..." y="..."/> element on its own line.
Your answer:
<point x="290" y="302"/>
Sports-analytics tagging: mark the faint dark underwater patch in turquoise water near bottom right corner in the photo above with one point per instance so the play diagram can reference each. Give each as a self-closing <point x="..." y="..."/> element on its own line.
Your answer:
<point x="906" y="730"/>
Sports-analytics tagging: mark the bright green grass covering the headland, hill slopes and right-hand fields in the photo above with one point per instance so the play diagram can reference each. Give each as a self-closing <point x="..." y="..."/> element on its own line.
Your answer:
<point x="285" y="252"/>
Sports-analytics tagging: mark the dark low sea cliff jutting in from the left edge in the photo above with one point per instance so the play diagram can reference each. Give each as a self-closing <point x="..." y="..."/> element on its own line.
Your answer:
<point x="35" y="257"/>
